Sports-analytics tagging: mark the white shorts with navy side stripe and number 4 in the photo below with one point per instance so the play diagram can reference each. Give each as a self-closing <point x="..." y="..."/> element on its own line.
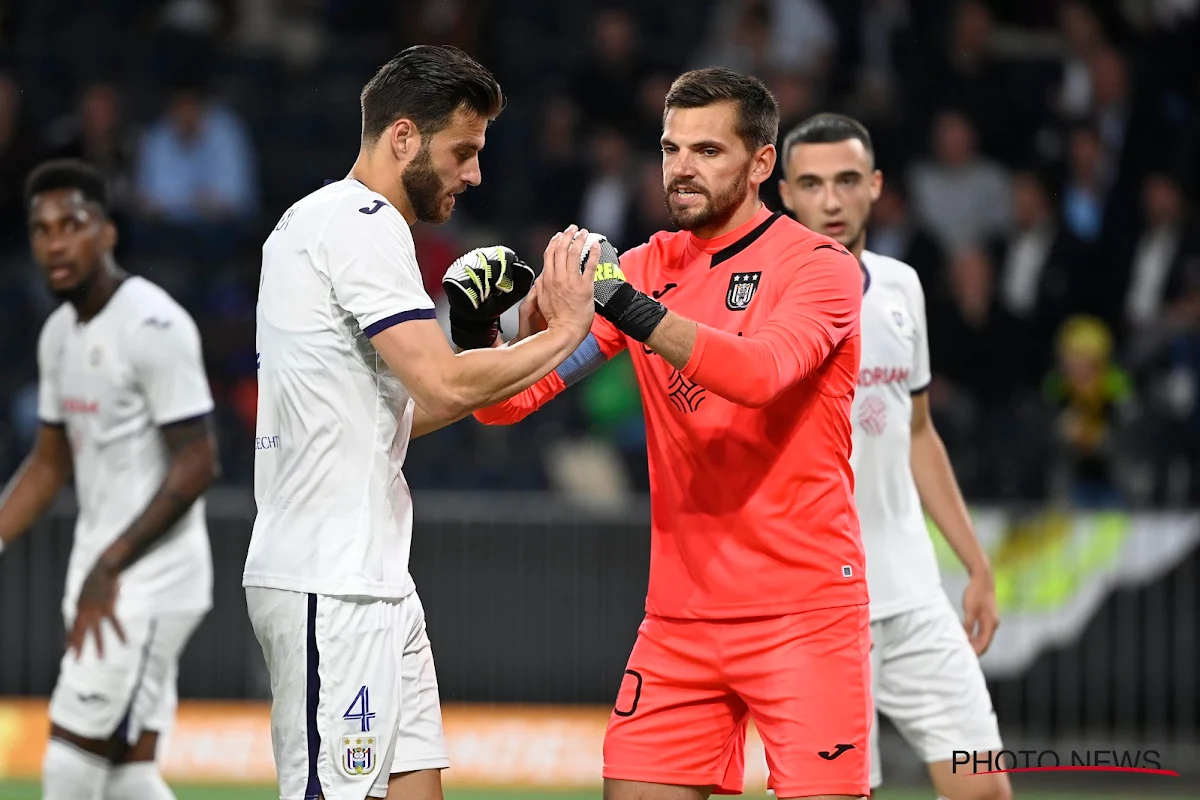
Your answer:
<point x="355" y="695"/>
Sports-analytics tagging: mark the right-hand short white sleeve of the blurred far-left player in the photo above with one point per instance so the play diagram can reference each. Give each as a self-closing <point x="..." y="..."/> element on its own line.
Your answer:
<point x="169" y="363"/>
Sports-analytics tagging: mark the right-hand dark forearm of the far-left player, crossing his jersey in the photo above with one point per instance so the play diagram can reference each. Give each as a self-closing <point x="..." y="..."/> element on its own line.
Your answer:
<point x="191" y="472"/>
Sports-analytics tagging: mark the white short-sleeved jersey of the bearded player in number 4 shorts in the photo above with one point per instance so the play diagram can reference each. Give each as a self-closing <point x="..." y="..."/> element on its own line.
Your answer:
<point x="335" y="515"/>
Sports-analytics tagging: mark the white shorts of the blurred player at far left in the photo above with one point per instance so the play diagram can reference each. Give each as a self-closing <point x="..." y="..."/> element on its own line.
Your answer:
<point x="134" y="688"/>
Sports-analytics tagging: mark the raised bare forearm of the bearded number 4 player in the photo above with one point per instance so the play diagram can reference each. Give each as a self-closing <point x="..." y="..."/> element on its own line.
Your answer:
<point x="488" y="377"/>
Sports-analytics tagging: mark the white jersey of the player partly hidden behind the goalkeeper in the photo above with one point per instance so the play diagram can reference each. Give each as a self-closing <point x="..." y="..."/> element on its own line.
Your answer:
<point x="902" y="568"/>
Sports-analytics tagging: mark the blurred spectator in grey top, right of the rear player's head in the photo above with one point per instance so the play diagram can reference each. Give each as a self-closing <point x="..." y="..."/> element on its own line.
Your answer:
<point x="961" y="196"/>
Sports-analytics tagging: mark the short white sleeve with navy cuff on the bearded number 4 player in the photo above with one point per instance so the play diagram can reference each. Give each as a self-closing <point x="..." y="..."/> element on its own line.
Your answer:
<point x="373" y="266"/>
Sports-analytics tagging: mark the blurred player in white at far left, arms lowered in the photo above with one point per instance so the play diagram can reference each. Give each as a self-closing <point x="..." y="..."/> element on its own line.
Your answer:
<point x="125" y="408"/>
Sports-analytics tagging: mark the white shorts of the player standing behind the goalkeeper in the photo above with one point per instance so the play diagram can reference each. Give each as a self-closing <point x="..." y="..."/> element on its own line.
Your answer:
<point x="927" y="679"/>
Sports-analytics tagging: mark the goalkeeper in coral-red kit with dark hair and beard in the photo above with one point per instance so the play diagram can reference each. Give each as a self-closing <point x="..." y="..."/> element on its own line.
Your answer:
<point x="743" y="330"/>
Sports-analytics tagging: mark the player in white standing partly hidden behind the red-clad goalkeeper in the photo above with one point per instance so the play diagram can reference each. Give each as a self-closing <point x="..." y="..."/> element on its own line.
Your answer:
<point x="927" y="676"/>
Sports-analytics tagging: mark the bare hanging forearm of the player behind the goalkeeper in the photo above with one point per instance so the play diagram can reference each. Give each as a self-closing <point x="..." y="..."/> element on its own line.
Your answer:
<point x="943" y="500"/>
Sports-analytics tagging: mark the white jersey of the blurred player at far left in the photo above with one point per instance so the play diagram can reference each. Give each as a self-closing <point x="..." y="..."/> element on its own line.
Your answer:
<point x="112" y="383"/>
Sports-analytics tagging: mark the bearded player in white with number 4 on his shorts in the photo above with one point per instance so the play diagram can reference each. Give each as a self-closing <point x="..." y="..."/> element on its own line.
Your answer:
<point x="353" y="364"/>
